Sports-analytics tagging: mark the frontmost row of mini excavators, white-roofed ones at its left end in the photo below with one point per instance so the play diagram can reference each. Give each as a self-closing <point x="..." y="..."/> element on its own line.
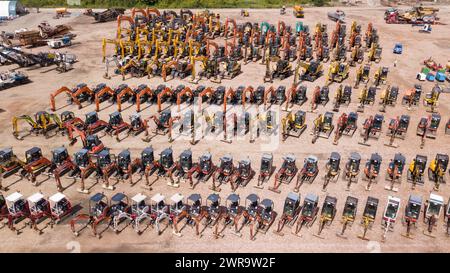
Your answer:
<point x="117" y="212"/>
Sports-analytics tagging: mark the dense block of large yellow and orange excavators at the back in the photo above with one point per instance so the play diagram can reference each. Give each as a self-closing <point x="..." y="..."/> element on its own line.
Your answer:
<point x="170" y="45"/>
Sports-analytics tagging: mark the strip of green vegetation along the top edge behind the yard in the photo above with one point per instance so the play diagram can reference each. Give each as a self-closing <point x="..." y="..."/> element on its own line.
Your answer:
<point x="176" y="3"/>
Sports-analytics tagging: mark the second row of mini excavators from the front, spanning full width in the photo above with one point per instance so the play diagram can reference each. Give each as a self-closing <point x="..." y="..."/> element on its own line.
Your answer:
<point x="122" y="167"/>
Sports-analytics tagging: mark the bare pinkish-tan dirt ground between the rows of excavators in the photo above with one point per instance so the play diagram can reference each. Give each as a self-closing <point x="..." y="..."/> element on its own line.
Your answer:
<point x="33" y="97"/>
